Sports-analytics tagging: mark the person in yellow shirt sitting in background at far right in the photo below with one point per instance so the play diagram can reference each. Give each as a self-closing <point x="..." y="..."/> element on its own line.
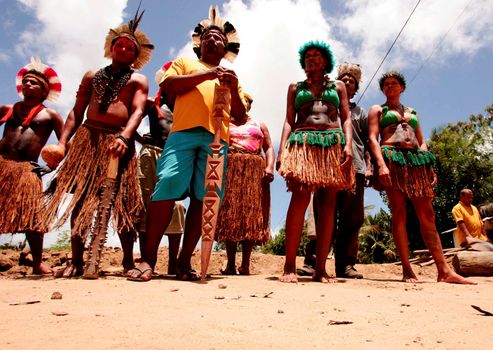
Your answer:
<point x="470" y="226"/>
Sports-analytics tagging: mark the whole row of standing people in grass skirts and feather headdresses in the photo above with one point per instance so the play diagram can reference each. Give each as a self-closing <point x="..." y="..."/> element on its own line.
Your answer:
<point x="324" y="156"/>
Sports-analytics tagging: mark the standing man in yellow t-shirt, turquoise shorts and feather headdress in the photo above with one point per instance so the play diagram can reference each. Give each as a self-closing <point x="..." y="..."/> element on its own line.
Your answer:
<point x="181" y="167"/>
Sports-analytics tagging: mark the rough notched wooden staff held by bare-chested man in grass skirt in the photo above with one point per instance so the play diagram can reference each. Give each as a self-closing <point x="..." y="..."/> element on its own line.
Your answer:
<point x="100" y="227"/>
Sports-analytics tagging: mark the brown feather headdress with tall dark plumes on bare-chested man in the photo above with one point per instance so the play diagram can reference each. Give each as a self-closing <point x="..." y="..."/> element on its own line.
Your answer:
<point x="139" y="38"/>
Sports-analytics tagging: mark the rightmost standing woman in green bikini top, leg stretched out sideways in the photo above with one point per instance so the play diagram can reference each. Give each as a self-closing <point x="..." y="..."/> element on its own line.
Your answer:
<point x="405" y="172"/>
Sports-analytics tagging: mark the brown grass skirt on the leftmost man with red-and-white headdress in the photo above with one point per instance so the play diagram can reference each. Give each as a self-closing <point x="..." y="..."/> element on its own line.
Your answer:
<point x="21" y="198"/>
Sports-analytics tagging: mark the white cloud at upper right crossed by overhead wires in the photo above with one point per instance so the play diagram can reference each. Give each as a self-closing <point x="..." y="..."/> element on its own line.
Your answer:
<point x="374" y="24"/>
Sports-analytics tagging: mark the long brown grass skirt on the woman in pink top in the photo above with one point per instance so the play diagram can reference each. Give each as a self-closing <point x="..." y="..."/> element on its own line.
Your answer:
<point x="245" y="210"/>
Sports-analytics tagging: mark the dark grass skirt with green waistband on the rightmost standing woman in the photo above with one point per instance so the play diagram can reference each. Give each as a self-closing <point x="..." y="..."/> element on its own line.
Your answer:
<point x="409" y="172"/>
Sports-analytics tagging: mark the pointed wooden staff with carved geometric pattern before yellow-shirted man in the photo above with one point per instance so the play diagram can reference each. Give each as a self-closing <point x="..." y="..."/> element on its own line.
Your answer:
<point x="213" y="178"/>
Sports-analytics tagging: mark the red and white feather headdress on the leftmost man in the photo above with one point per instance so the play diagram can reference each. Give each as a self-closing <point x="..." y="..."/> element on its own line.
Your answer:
<point x="45" y="74"/>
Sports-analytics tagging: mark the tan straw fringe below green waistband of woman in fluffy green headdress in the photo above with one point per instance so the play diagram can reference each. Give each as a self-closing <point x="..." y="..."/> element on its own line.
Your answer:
<point x="308" y="167"/>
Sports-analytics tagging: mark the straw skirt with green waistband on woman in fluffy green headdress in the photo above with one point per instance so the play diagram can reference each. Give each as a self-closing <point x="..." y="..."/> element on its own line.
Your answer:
<point x="312" y="160"/>
